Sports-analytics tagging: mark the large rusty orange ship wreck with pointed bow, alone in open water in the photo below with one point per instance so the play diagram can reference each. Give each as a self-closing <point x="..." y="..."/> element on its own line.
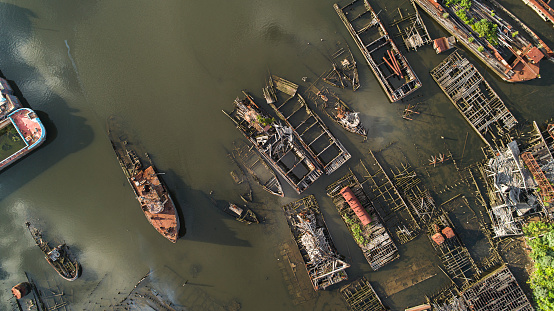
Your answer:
<point x="150" y="191"/>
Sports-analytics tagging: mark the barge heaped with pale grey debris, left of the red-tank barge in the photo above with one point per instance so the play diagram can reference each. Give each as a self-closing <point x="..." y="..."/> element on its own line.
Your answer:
<point x="325" y="266"/>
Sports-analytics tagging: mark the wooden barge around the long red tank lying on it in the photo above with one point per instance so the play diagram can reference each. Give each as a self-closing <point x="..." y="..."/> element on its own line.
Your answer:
<point x="376" y="244"/>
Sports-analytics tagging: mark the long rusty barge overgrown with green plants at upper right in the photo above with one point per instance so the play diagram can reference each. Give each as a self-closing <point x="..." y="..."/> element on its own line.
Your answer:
<point x="483" y="28"/>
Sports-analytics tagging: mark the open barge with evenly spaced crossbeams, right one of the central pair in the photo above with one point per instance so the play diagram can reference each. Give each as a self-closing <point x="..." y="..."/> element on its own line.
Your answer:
<point x="310" y="130"/>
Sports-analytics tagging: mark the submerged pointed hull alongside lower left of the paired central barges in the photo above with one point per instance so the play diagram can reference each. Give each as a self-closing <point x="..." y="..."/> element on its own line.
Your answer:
<point x="257" y="167"/>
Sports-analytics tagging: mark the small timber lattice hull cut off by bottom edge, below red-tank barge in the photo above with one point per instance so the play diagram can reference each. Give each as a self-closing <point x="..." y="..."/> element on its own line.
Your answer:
<point x="360" y="296"/>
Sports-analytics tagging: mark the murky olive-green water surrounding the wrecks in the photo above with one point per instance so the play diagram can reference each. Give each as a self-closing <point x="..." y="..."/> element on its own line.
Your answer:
<point x="169" y="69"/>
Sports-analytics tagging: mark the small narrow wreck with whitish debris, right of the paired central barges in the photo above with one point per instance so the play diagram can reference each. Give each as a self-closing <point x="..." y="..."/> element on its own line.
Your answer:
<point x="338" y="110"/>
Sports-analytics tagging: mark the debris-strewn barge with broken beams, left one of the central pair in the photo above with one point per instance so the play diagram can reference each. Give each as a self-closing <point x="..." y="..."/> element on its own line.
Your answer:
<point x="276" y="143"/>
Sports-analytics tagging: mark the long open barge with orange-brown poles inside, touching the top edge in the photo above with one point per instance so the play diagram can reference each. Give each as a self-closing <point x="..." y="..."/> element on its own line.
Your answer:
<point x="389" y="65"/>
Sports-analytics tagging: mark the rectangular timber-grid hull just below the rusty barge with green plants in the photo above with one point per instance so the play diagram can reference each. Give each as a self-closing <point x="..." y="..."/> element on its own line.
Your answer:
<point x="473" y="97"/>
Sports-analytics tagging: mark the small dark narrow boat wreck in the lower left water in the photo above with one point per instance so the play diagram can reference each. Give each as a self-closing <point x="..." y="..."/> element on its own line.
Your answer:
<point x="58" y="257"/>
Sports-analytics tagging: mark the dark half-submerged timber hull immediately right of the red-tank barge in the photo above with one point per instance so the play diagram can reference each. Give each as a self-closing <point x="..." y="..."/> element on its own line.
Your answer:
<point x="391" y="206"/>
